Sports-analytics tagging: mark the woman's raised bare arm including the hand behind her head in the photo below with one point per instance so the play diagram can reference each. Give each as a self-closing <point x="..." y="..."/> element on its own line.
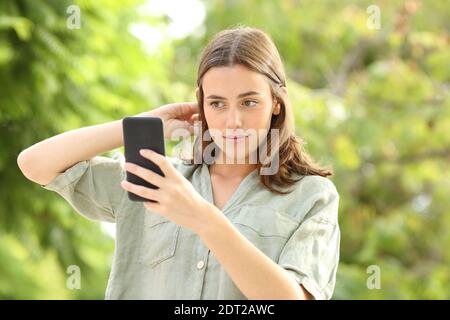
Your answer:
<point x="45" y="160"/>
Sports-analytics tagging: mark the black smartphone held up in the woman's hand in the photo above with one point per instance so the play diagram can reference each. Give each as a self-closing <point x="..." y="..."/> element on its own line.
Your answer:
<point x="142" y="133"/>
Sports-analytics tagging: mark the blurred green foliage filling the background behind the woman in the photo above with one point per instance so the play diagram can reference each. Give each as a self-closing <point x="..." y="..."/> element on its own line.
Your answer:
<point x="373" y="103"/>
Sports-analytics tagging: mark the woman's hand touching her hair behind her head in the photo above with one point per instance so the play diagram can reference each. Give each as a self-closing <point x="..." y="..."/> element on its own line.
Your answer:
<point x="177" y="116"/>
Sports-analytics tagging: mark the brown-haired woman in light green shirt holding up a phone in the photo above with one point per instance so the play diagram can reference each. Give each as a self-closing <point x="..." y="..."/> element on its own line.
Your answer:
<point x="222" y="228"/>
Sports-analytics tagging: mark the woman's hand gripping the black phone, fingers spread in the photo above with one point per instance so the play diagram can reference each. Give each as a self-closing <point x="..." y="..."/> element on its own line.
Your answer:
<point x="177" y="200"/>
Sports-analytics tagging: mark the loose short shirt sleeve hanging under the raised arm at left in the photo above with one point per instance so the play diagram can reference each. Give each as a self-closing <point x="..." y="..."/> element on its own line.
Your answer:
<point x="92" y="187"/>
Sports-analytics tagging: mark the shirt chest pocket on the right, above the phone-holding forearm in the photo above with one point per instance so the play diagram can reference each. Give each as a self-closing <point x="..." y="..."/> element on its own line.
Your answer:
<point x="267" y="228"/>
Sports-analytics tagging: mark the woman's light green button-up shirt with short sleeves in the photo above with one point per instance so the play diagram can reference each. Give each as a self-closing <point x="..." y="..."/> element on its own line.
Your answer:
<point x="155" y="258"/>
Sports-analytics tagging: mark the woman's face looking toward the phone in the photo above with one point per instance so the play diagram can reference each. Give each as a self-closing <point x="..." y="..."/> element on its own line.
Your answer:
<point x="238" y="107"/>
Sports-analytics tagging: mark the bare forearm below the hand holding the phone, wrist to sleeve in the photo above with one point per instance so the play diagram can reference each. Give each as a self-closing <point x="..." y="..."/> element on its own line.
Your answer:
<point x="255" y="274"/>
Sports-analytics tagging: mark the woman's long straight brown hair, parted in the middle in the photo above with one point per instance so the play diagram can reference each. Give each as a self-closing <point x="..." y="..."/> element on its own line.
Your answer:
<point x="255" y="50"/>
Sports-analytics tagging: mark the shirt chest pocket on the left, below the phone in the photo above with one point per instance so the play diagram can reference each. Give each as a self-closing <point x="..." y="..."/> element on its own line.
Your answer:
<point x="159" y="239"/>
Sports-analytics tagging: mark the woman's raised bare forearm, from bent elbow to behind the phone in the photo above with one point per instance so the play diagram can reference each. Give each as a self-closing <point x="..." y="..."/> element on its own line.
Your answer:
<point x="42" y="161"/>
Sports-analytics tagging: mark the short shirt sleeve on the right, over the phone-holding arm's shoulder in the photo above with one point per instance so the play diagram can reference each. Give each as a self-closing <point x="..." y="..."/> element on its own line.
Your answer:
<point x="311" y="254"/>
